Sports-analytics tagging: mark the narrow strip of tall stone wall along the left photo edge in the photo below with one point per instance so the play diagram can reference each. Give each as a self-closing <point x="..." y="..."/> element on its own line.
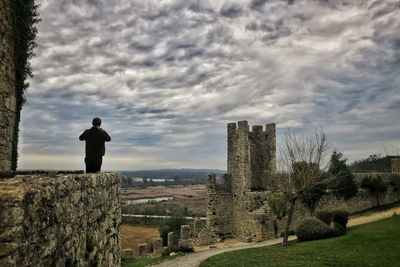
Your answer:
<point x="7" y="87"/>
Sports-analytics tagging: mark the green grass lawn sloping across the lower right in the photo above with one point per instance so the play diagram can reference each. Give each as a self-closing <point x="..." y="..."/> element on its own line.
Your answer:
<point x="373" y="244"/>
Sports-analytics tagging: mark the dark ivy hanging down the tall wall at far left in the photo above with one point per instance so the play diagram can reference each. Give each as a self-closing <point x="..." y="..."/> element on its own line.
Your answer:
<point x="25" y="17"/>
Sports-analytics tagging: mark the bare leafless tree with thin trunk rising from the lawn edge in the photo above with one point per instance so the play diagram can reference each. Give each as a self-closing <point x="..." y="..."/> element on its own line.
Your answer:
<point x="302" y="161"/>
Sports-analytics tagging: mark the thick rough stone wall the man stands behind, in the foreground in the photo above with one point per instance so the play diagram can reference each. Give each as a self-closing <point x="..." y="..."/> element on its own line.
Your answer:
<point x="60" y="220"/>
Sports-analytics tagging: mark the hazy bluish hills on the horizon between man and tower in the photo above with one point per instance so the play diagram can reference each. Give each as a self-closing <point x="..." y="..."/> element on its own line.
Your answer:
<point x="190" y="174"/>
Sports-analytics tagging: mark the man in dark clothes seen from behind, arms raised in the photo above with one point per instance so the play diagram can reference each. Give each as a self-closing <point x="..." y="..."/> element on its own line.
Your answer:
<point x="95" y="138"/>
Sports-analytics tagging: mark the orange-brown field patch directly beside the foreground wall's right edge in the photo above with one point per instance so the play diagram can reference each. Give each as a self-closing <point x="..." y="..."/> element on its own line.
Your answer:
<point x="132" y="236"/>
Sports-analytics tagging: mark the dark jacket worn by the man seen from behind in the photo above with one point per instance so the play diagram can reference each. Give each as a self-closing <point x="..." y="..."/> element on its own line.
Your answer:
<point x="95" y="142"/>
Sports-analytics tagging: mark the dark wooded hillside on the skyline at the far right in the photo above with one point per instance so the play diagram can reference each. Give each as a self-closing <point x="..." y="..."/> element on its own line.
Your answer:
<point x="374" y="163"/>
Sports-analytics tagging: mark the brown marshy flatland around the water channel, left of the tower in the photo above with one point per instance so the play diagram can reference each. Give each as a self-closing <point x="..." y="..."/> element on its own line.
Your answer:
<point x="192" y="197"/>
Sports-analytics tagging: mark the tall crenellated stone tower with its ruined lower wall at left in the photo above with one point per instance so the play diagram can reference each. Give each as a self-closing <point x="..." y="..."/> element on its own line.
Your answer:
<point x="235" y="202"/>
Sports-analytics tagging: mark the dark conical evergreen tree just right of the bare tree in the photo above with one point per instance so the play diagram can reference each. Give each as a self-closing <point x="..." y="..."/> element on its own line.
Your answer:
<point x="342" y="184"/>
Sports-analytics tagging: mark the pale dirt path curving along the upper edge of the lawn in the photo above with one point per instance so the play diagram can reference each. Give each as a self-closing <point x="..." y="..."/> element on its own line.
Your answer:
<point x="194" y="259"/>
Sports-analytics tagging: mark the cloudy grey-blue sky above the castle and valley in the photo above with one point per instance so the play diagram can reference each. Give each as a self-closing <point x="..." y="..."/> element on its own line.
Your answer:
<point x="166" y="76"/>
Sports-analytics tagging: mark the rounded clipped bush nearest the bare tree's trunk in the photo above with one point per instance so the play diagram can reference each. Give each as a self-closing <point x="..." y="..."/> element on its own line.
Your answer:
<point x="312" y="229"/>
